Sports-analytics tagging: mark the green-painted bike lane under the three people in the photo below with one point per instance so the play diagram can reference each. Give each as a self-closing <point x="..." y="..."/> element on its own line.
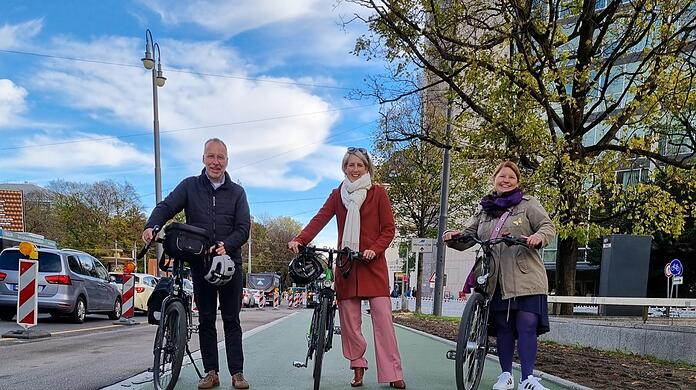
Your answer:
<point x="270" y="350"/>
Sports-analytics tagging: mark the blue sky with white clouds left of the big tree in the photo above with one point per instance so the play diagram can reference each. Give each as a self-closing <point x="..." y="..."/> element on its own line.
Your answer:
<point x="270" y="78"/>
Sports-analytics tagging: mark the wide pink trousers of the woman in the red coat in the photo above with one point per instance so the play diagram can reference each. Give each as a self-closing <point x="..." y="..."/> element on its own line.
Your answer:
<point x="354" y="344"/>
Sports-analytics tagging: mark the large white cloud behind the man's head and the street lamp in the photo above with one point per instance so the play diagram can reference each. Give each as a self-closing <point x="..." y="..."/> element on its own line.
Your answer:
<point x="268" y="127"/>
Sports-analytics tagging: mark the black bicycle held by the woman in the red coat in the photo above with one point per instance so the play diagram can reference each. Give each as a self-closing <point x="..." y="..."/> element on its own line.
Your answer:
<point x="322" y="329"/>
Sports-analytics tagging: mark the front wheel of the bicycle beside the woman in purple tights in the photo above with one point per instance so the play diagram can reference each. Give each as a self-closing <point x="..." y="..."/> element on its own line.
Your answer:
<point x="472" y="343"/>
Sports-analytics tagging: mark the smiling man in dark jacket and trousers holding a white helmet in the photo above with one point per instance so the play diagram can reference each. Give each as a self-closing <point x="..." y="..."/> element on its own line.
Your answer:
<point x="212" y="201"/>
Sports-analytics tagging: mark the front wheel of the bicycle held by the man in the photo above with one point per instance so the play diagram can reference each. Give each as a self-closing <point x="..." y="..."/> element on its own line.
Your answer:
<point x="170" y="344"/>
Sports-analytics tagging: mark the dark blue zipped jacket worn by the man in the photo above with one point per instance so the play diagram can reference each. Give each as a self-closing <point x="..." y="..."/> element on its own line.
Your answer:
<point x="223" y="212"/>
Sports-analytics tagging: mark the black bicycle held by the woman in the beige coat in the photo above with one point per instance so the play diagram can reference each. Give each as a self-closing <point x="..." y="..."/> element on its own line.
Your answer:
<point x="472" y="341"/>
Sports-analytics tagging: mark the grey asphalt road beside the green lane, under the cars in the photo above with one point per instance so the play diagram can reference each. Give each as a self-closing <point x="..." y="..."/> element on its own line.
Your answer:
<point x="92" y="355"/>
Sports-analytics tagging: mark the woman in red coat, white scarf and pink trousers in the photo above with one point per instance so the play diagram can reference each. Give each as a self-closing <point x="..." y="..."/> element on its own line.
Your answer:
<point x="365" y="223"/>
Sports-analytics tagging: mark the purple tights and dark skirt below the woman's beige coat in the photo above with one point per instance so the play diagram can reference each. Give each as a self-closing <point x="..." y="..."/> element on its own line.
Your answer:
<point x="523" y="325"/>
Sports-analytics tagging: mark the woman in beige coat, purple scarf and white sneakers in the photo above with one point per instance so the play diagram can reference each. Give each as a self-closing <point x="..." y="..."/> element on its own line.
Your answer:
<point x="518" y="284"/>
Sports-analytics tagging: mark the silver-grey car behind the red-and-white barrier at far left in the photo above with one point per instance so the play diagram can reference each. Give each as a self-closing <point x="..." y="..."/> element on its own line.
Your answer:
<point x="70" y="283"/>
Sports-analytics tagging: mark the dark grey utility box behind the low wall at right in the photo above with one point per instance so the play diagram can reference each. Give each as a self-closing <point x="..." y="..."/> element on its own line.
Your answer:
<point x="624" y="271"/>
